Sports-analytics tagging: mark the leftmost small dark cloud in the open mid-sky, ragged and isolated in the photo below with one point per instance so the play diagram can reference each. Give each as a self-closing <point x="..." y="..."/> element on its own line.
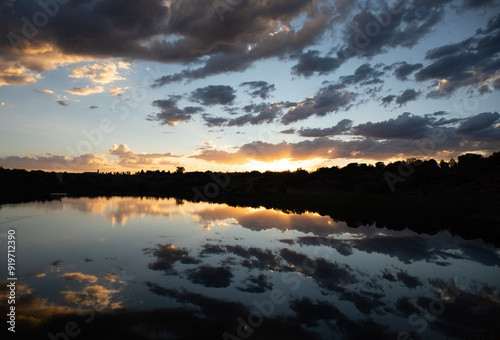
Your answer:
<point x="170" y="113"/>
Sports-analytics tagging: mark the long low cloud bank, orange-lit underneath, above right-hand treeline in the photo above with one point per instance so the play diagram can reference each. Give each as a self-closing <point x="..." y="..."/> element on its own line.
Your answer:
<point x="381" y="140"/>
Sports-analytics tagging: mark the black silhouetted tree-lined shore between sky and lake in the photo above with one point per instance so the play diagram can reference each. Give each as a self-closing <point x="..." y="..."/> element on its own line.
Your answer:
<point x="463" y="198"/>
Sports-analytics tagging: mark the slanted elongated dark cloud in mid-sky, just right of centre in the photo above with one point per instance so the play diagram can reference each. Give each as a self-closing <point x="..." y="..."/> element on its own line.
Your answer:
<point x="328" y="99"/>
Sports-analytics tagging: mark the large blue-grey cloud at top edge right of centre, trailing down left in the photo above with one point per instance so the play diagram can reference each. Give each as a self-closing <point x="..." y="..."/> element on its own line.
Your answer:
<point x="374" y="31"/>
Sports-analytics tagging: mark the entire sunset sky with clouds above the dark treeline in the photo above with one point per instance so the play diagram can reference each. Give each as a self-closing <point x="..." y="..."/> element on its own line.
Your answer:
<point x="238" y="85"/>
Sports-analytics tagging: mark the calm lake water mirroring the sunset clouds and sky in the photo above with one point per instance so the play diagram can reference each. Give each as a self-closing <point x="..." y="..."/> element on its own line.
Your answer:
<point x="166" y="269"/>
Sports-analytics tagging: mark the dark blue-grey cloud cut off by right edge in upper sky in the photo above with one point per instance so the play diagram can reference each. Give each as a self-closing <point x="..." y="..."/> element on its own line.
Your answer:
<point x="470" y="62"/>
